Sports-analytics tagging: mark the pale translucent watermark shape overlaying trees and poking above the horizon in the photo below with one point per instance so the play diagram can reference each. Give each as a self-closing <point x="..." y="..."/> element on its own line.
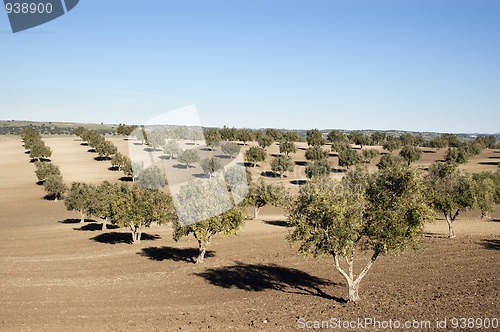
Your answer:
<point x="203" y="180"/>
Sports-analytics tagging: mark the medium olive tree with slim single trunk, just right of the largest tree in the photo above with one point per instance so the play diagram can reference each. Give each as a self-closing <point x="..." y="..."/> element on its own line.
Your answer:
<point x="451" y="192"/>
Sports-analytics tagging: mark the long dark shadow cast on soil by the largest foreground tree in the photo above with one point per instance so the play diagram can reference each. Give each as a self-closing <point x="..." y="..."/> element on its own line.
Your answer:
<point x="261" y="277"/>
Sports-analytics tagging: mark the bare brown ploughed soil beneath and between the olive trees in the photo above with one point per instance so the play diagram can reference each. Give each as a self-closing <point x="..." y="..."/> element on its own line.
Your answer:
<point x="60" y="275"/>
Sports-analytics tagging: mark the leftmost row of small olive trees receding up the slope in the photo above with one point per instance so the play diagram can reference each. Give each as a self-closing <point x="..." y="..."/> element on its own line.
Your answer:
<point x="47" y="173"/>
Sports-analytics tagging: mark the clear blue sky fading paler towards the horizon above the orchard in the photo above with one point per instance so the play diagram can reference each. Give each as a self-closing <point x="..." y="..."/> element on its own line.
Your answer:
<point x="401" y="64"/>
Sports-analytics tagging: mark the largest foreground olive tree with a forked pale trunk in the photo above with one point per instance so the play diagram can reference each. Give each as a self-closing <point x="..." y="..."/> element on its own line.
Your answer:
<point x="382" y="213"/>
